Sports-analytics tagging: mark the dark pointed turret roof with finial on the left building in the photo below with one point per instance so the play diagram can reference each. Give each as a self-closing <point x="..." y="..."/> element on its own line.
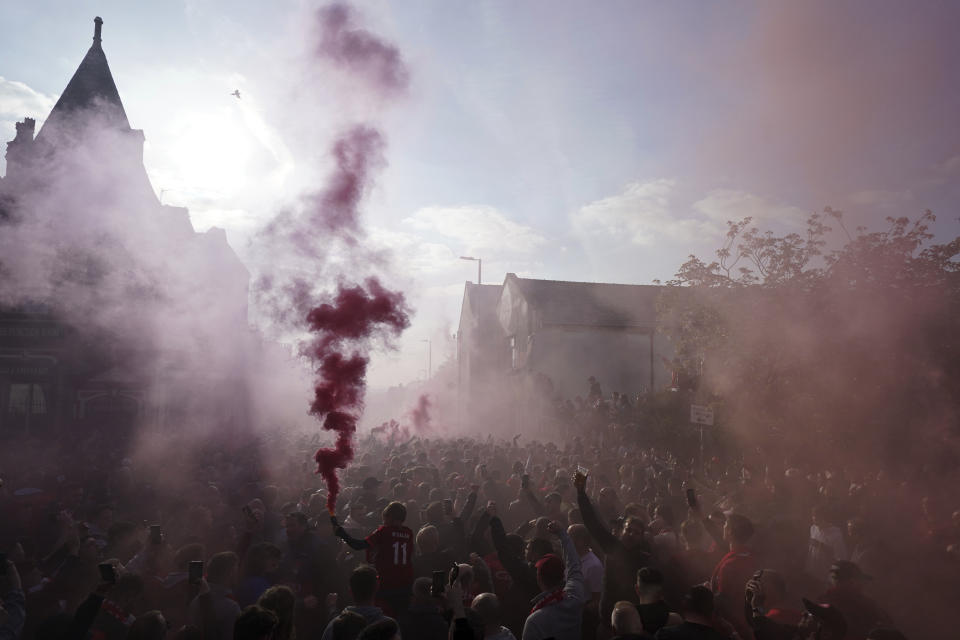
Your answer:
<point x="91" y="87"/>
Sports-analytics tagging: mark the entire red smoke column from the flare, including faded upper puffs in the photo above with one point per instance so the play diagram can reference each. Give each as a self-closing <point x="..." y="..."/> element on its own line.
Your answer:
<point x="342" y="327"/>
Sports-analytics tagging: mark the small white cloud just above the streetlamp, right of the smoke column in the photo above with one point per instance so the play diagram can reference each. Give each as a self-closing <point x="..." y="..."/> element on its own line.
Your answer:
<point x="478" y="229"/>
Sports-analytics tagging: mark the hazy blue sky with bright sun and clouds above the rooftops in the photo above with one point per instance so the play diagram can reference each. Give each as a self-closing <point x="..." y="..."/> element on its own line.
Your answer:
<point x="553" y="139"/>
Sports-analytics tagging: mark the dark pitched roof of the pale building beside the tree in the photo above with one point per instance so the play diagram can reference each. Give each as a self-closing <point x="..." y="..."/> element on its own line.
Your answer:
<point x="596" y="304"/>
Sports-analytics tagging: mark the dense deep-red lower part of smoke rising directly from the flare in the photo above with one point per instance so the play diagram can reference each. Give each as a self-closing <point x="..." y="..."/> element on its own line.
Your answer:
<point x="344" y="325"/>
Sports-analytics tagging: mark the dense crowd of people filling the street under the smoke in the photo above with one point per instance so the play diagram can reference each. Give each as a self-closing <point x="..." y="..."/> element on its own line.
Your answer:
<point x="603" y="535"/>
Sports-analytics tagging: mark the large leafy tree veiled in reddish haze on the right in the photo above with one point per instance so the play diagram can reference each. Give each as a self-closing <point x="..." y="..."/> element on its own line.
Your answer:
<point x="821" y="350"/>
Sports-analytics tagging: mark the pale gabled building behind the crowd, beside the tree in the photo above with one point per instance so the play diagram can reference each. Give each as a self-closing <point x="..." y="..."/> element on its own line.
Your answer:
<point x="550" y="336"/>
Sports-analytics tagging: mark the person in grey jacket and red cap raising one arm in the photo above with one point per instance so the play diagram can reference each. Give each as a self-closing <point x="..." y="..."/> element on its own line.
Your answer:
<point x="558" y="611"/>
